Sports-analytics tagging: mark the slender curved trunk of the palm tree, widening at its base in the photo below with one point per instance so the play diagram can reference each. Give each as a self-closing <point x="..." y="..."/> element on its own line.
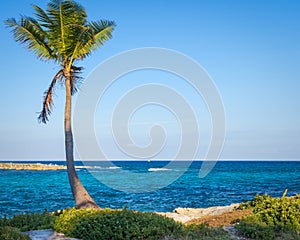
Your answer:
<point x="80" y="194"/>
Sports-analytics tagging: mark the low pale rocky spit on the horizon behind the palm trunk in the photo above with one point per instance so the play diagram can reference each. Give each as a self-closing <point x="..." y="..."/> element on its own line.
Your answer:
<point x="34" y="166"/>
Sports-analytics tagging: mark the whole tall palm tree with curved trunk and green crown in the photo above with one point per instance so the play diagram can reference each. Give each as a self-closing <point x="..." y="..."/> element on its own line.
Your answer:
<point x="62" y="34"/>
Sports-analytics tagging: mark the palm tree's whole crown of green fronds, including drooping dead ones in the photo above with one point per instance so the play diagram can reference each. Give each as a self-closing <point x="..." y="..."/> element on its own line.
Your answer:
<point x="63" y="34"/>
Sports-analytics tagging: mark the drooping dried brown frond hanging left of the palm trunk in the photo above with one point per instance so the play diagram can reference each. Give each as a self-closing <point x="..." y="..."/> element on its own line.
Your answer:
<point x="48" y="99"/>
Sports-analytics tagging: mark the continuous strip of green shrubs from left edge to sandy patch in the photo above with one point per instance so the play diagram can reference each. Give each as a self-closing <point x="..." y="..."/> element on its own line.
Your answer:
<point x="106" y="224"/>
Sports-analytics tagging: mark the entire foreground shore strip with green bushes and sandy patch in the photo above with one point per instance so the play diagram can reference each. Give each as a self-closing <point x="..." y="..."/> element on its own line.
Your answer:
<point x="264" y="217"/>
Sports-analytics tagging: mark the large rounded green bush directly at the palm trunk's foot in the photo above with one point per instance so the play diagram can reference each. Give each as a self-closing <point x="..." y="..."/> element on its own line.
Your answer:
<point x="128" y="224"/>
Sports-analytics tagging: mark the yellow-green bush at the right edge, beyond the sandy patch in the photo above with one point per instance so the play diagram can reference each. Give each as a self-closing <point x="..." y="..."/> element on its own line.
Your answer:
<point x="272" y="218"/>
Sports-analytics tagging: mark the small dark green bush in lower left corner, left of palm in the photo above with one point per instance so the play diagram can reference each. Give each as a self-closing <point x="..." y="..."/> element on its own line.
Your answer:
<point x="29" y="221"/>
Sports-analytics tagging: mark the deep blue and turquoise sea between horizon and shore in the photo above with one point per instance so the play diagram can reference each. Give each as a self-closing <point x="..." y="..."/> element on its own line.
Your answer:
<point x="228" y="182"/>
